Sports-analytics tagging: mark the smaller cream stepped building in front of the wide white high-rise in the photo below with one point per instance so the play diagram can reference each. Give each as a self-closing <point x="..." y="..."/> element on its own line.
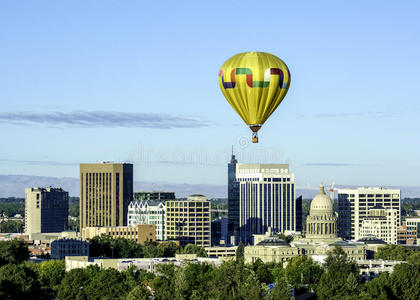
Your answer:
<point x="380" y="223"/>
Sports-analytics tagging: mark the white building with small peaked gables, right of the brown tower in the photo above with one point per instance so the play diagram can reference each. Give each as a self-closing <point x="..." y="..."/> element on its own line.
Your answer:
<point x="148" y="212"/>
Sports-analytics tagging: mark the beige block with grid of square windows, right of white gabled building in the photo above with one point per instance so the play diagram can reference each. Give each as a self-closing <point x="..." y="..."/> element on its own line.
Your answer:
<point x="189" y="221"/>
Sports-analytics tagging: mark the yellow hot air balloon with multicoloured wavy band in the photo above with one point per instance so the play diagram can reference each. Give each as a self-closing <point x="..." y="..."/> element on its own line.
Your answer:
<point x="254" y="84"/>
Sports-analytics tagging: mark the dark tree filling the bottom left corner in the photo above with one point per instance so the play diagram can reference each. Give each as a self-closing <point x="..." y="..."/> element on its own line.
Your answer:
<point x="18" y="282"/>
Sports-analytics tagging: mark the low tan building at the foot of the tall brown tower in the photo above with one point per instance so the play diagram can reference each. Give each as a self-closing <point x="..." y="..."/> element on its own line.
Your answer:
<point x="139" y="233"/>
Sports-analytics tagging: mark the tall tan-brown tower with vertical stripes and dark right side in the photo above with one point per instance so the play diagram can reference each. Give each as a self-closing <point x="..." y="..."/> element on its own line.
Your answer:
<point x="106" y="190"/>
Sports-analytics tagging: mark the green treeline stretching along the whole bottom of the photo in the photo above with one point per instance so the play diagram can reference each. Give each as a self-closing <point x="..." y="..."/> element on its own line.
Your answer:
<point x="337" y="278"/>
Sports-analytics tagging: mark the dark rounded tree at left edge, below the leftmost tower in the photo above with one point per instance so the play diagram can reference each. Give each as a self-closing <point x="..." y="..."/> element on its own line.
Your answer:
<point x="14" y="251"/>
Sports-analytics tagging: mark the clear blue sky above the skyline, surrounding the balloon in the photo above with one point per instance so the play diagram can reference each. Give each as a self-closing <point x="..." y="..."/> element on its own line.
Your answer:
<point x="84" y="81"/>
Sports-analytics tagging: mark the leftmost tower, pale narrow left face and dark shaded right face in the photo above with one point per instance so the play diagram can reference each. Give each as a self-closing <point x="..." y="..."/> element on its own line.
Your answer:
<point x="46" y="210"/>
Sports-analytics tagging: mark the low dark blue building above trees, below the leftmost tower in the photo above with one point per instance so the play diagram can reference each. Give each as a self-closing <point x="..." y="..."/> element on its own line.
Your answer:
<point x="69" y="247"/>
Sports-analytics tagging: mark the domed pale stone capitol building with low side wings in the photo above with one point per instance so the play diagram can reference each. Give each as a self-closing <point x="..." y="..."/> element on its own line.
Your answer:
<point x="321" y="237"/>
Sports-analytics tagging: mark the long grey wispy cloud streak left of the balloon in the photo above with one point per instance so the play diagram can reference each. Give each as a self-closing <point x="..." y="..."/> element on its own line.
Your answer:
<point x="91" y="119"/>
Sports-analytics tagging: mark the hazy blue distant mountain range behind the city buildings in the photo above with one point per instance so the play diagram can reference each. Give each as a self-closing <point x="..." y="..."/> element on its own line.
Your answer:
<point x="14" y="186"/>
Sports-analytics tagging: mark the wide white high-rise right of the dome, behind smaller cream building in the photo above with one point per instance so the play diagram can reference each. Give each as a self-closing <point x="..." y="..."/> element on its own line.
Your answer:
<point x="354" y="205"/>
